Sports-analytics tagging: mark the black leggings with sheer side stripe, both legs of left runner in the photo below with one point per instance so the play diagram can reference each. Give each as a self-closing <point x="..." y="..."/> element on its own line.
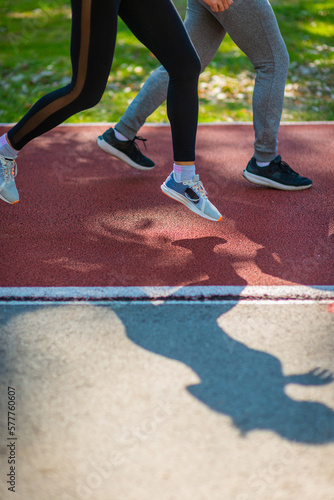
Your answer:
<point x="158" y="26"/>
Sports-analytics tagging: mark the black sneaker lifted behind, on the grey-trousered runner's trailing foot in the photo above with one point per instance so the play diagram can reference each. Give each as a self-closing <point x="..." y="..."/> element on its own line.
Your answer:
<point x="127" y="151"/>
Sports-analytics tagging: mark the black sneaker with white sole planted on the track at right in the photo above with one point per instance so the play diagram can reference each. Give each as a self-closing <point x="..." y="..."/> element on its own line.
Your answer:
<point x="278" y="174"/>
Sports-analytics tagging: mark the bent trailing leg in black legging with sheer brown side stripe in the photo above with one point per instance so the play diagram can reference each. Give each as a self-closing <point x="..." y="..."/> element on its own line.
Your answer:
<point x="93" y="35"/>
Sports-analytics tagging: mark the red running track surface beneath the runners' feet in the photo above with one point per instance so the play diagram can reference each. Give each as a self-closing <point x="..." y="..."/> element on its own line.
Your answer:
<point x="86" y="219"/>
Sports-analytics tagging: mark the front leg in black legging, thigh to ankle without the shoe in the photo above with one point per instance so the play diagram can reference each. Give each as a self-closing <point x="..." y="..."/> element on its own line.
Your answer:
<point x="159" y="27"/>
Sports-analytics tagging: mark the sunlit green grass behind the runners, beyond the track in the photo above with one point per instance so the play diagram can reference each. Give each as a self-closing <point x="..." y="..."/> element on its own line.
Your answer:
<point x="34" y="59"/>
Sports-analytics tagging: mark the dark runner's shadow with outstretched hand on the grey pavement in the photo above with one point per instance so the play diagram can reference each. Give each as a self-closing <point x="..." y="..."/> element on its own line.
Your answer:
<point x="242" y="383"/>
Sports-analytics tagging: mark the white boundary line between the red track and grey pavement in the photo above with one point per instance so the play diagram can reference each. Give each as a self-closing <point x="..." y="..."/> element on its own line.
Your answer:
<point x="180" y="293"/>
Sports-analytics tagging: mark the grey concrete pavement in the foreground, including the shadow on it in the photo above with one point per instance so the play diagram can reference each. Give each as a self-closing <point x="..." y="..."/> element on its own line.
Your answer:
<point x="134" y="401"/>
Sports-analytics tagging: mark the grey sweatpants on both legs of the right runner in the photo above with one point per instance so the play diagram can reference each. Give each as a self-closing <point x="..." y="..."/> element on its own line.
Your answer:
<point x="253" y="27"/>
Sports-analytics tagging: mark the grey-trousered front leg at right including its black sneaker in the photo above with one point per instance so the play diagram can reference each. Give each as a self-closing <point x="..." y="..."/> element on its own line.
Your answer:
<point x="253" y="27"/>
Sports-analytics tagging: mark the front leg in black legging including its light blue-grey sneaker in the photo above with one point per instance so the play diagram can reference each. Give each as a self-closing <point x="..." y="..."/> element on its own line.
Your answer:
<point x="159" y="28"/>
